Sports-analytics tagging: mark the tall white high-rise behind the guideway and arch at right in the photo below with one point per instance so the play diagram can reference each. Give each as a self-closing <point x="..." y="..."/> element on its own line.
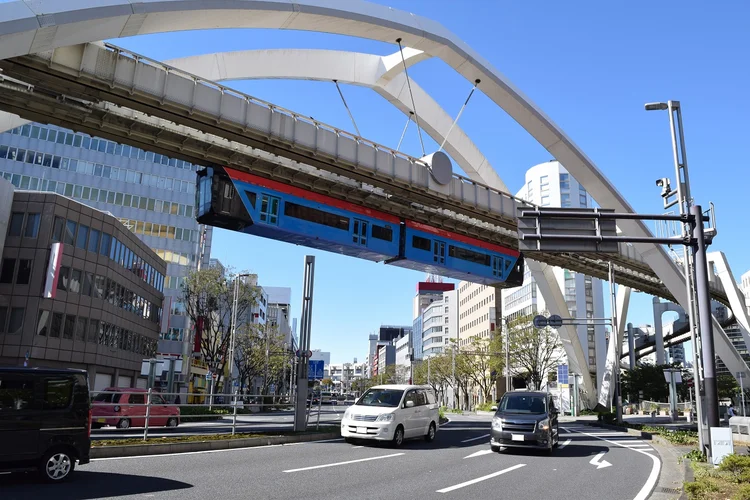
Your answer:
<point x="549" y="184"/>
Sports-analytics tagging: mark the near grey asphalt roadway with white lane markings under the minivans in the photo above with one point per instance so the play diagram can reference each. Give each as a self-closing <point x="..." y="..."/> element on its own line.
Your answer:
<point x="590" y="464"/>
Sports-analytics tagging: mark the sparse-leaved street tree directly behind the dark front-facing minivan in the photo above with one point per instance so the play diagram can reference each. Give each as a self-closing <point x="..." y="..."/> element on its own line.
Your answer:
<point x="534" y="352"/>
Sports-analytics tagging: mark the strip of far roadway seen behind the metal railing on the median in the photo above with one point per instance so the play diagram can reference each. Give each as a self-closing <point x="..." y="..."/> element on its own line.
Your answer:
<point x="274" y="421"/>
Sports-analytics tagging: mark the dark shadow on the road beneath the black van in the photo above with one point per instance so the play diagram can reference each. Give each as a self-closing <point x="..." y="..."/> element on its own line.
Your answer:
<point x="84" y="485"/>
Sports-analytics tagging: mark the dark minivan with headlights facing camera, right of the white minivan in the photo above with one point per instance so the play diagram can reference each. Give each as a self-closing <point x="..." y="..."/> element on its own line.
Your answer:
<point x="525" y="419"/>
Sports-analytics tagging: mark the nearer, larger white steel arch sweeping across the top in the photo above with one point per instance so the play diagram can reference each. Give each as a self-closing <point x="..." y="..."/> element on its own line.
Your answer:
<point x="30" y="27"/>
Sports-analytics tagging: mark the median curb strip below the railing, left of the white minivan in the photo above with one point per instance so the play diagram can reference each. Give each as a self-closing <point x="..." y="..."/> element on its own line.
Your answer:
<point x="133" y="450"/>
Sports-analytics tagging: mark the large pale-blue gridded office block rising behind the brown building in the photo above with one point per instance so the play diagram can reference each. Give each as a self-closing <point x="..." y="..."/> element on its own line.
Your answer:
<point x="151" y="194"/>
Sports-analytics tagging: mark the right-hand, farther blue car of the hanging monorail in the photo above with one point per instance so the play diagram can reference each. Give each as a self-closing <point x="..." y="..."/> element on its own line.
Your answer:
<point x="456" y="256"/>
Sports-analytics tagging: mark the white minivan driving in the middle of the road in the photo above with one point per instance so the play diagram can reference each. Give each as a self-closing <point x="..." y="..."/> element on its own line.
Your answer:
<point x="392" y="413"/>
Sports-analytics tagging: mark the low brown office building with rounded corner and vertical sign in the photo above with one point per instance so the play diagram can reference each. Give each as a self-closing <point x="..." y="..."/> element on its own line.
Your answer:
<point x="77" y="289"/>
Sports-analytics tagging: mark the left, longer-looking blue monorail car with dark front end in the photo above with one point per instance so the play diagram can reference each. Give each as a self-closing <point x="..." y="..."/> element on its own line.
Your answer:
<point x="254" y="205"/>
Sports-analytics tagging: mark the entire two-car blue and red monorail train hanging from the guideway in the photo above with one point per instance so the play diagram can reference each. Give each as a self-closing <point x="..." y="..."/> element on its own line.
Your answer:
<point x="247" y="203"/>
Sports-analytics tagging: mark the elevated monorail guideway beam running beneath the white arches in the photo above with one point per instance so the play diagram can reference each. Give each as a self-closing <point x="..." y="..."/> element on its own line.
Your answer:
<point x="104" y="90"/>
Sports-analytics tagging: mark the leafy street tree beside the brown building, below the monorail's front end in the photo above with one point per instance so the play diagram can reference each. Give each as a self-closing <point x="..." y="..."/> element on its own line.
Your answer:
<point x="208" y="298"/>
